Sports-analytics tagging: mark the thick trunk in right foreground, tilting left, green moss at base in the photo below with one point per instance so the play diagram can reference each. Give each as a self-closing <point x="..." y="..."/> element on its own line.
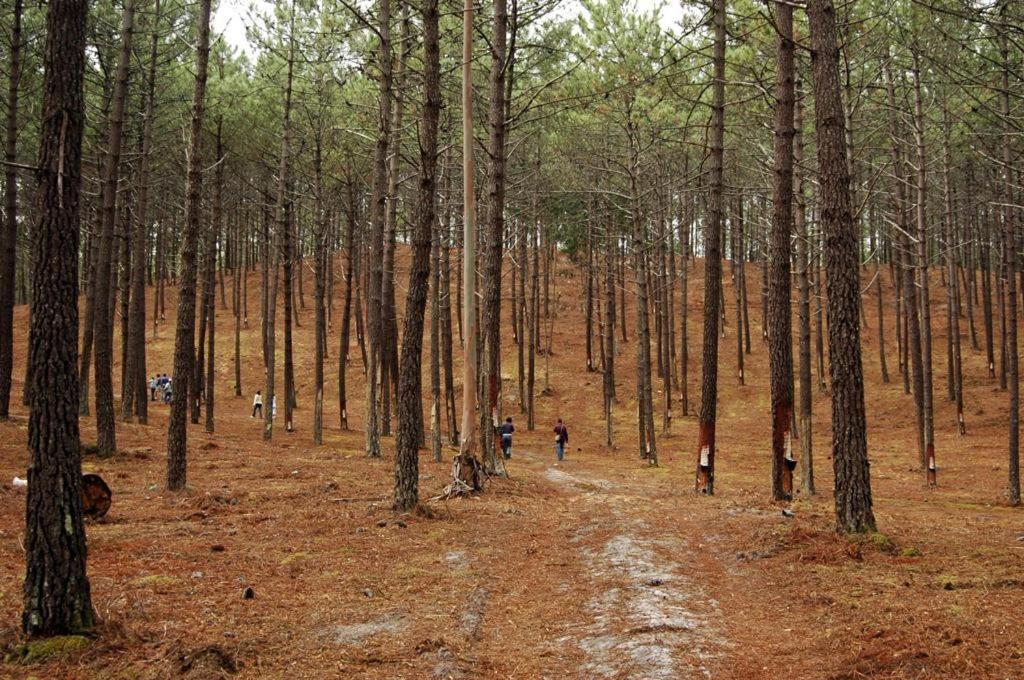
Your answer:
<point x="854" y="486"/>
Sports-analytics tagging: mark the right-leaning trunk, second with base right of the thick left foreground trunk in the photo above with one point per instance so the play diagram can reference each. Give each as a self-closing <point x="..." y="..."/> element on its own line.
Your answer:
<point x="185" y="336"/>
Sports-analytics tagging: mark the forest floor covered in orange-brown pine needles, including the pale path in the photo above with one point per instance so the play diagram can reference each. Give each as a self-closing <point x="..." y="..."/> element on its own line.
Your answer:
<point x="601" y="567"/>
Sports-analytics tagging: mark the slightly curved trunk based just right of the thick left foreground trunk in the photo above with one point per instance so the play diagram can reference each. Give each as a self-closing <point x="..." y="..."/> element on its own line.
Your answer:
<point x="103" y="338"/>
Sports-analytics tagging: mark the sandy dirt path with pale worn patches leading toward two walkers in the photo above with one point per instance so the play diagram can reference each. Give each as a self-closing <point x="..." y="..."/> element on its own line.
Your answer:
<point x="647" y="614"/>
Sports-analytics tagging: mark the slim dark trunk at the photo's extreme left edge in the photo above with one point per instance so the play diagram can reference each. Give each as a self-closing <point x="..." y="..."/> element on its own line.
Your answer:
<point x="9" y="235"/>
